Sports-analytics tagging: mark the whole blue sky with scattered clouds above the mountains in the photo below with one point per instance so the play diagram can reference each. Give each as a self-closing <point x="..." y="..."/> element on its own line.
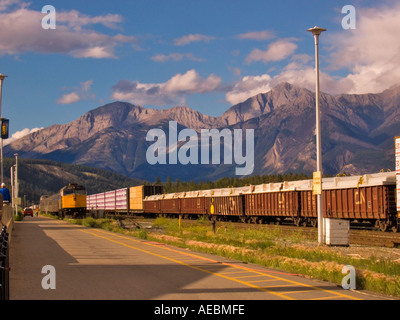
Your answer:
<point x="208" y="55"/>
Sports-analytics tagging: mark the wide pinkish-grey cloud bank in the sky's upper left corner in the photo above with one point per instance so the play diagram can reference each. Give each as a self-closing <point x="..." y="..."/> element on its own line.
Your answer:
<point x="74" y="34"/>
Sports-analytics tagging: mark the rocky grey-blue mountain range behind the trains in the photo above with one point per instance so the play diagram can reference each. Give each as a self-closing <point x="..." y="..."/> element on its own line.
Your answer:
<point x="358" y="133"/>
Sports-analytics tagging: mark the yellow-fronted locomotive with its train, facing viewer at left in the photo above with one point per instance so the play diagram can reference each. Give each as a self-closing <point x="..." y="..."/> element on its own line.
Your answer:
<point x="69" y="201"/>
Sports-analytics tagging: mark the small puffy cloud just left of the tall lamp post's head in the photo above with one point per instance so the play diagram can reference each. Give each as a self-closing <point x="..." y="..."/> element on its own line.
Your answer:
<point x="278" y="50"/>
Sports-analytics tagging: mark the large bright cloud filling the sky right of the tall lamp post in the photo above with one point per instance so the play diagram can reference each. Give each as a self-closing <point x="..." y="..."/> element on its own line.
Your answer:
<point x="371" y="52"/>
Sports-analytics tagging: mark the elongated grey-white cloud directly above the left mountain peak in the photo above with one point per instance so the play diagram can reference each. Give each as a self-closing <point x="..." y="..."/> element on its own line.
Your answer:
<point x="172" y="91"/>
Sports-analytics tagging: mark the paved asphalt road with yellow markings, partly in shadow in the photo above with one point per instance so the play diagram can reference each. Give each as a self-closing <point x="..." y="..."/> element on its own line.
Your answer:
<point x="53" y="259"/>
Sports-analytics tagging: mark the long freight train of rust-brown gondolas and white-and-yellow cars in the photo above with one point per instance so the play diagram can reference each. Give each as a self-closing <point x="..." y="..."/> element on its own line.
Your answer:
<point x="368" y="198"/>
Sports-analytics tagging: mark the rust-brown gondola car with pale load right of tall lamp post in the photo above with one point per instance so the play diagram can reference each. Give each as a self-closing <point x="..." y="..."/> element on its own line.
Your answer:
<point x="367" y="198"/>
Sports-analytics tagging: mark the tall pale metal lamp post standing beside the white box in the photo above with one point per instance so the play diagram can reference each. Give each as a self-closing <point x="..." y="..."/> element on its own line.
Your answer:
<point x="316" y="31"/>
